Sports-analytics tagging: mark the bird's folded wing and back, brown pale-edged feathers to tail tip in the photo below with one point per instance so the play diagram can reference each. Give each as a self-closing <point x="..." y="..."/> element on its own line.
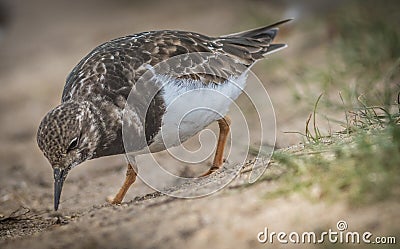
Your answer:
<point x="115" y="66"/>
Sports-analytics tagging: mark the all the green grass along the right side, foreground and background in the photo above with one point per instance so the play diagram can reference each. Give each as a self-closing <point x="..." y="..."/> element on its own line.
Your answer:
<point x="361" y="79"/>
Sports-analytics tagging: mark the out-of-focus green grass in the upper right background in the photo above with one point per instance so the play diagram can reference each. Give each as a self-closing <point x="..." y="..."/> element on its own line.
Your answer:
<point x="362" y="57"/>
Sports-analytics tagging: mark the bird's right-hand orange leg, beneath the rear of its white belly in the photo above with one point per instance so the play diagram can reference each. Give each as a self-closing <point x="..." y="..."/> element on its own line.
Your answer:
<point x="224" y="124"/>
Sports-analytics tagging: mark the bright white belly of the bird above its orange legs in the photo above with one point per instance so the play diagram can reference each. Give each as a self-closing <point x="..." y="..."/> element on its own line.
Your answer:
<point x="191" y="106"/>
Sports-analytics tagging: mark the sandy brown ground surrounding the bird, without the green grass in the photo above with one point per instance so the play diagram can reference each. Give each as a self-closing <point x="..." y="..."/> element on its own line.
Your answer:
<point x="42" y="42"/>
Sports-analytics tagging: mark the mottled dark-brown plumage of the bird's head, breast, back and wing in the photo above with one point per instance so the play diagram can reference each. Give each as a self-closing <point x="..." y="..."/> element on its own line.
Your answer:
<point x="88" y="122"/>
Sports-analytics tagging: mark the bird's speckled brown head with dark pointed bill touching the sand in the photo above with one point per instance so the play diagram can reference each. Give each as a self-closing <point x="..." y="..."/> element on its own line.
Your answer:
<point x="67" y="137"/>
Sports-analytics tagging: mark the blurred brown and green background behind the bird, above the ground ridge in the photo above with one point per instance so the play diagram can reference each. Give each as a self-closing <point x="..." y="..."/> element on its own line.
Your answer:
<point x="343" y="49"/>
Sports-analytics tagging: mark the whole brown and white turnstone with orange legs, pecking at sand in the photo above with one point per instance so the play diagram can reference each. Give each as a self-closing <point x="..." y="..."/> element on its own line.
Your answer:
<point x="89" y="121"/>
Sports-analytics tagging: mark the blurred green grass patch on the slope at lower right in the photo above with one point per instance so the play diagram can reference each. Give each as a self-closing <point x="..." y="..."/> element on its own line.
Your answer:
<point x="362" y="167"/>
